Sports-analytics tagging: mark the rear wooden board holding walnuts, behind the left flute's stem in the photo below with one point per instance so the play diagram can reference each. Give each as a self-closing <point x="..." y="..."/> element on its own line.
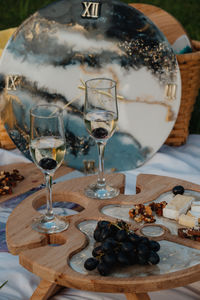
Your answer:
<point x="33" y="177"/>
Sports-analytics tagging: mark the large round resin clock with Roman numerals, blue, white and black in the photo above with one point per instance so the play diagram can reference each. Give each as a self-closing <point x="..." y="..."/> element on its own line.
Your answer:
<point x="57" y="49"/>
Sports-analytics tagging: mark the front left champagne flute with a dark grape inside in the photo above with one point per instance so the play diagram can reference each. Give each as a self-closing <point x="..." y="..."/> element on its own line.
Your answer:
<point x="47" y="148"/>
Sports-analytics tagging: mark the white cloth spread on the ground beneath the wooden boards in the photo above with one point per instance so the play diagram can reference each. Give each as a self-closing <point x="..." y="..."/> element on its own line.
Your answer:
<point x="180" y="162"/>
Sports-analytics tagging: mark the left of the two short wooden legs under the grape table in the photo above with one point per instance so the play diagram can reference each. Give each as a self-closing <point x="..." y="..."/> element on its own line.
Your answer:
<point x="44" y="290"/>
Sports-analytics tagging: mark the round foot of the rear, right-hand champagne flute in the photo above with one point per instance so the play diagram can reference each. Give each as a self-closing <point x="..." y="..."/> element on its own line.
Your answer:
<point x="105" y="192"/>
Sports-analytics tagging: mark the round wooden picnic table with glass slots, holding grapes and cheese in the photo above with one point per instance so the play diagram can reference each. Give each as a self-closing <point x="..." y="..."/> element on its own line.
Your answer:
<point x="38" y="255"/>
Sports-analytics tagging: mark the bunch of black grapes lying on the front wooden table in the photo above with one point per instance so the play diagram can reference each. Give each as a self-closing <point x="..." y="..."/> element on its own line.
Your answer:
<point x="118" y="246"/>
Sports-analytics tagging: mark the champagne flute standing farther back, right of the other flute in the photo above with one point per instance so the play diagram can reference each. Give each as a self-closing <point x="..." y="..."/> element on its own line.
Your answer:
<point x="100" y="116"/>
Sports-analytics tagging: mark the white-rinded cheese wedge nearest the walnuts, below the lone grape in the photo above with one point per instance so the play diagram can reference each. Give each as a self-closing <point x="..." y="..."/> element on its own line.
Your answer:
<point x="177" y="206"/>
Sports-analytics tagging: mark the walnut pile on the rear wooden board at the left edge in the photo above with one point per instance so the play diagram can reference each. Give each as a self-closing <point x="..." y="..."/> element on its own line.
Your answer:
<point x="9" y="180"/>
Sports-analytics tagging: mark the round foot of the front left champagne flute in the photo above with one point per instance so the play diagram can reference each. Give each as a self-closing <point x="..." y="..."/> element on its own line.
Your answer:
<point x="45" y="225"/>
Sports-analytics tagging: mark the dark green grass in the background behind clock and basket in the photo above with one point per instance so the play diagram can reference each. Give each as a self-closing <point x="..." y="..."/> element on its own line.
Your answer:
<point x="187" y="12"/>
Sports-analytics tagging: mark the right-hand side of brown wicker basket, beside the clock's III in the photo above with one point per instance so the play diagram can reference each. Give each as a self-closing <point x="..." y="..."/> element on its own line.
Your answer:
<point x="189" y="65"/>
